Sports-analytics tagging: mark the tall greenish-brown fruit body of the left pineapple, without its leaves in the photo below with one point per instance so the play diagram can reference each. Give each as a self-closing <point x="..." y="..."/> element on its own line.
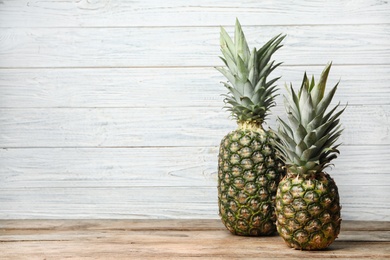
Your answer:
<point x="248" y="176"/>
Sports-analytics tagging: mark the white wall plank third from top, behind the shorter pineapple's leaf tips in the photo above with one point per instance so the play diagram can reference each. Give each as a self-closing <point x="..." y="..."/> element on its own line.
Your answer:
<point x="169" y="87"/>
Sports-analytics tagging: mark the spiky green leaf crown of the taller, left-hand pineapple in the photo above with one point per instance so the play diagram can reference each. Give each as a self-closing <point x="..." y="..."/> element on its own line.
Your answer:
<point x="250" y="95"/>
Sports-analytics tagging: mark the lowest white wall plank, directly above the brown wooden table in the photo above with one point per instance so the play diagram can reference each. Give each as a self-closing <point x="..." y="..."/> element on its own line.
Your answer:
<point x="156" y="202"/>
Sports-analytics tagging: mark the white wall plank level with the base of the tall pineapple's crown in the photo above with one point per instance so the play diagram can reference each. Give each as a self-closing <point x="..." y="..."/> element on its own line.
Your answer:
<point x="135" y="127"/>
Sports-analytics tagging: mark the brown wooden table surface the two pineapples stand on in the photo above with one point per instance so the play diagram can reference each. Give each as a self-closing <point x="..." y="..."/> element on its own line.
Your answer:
<point x="173" y="239"/>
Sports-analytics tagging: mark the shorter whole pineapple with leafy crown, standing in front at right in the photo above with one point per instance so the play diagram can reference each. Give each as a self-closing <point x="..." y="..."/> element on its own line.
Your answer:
<point x="307" y="200"/>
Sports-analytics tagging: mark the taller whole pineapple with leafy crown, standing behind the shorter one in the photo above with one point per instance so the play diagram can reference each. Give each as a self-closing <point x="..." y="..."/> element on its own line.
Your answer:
<point x="248" y="168"/>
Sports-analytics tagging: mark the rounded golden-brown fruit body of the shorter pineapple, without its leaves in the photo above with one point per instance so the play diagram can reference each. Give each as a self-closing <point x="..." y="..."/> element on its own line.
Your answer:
<point x="308" y="211"/>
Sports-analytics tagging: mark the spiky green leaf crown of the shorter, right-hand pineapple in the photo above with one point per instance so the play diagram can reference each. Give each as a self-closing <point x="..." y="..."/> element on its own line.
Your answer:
<point x="307" y="140"/>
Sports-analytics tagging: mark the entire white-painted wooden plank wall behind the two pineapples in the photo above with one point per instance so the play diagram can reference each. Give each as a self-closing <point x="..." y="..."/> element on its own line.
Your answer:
<point x="112" y="109"/>
